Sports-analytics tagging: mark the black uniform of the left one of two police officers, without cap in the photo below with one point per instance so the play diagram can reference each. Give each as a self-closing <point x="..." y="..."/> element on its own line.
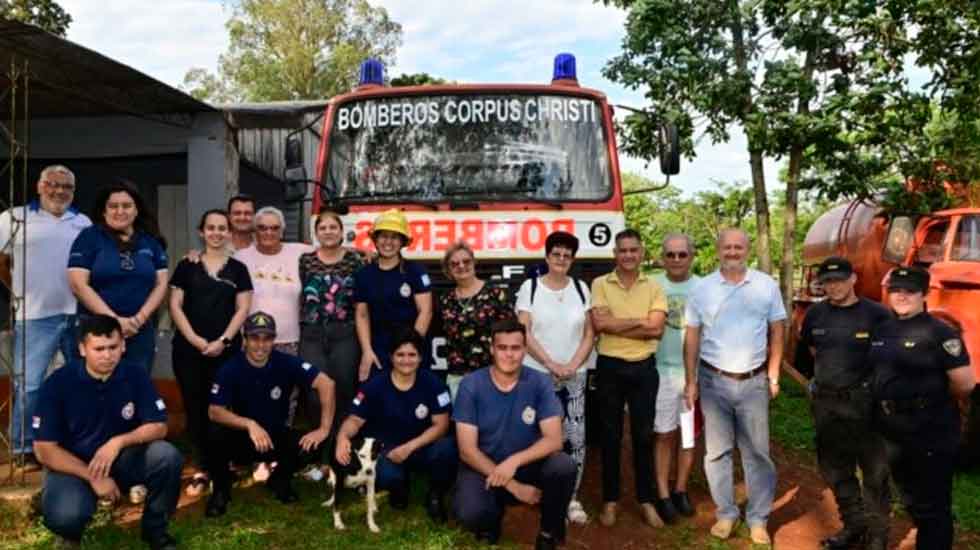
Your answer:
<point x="842" y="414"/>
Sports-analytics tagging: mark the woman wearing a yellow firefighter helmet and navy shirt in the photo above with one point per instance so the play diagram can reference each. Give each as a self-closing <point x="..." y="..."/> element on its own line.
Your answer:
<point x="391" y="293"/>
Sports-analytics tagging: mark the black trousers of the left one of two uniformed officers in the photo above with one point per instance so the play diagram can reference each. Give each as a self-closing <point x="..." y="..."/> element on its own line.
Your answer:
<point x="846" y="441"/>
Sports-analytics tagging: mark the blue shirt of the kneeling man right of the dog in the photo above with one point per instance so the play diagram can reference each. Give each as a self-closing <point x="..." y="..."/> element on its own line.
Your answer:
<point x="507" y="422"/>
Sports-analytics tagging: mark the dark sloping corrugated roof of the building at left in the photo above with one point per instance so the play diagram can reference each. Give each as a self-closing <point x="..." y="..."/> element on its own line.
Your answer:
<point x="71" y="80"/>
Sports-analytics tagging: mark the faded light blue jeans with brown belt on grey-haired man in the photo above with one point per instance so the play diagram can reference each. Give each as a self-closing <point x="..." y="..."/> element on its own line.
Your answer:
<point x="736" y="412"/>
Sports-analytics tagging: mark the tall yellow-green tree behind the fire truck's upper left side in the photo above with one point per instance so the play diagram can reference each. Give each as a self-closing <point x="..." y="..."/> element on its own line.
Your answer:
<point x="296" y="49"/>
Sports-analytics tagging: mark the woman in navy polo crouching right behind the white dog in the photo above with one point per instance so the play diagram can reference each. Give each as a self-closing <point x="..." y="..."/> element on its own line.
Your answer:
<point x="407" y="410"/>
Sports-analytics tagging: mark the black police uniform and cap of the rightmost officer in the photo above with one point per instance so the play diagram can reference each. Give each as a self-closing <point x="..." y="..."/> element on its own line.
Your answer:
<point x="915" y="413"/>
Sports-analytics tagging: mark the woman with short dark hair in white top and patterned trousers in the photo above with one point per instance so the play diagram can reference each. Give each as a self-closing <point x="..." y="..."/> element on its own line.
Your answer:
<point x="555" y="309"/>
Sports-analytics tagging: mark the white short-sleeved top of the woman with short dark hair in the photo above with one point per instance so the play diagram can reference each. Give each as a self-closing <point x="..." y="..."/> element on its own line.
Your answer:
<point x="558" y="320"/>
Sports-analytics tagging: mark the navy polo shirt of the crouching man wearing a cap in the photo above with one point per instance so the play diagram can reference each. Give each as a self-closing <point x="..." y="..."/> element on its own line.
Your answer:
<point x="262" y="393"/>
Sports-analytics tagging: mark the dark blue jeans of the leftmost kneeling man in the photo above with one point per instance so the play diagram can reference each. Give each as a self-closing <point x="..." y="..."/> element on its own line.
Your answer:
<point x="68" y="502"/>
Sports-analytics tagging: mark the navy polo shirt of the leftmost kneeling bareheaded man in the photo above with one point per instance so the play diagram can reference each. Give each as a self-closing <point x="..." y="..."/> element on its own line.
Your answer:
<point x="81" y="413"/>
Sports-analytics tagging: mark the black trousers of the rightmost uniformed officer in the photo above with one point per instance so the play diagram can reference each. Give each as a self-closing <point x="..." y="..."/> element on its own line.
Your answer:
<point x="925" y="479"/>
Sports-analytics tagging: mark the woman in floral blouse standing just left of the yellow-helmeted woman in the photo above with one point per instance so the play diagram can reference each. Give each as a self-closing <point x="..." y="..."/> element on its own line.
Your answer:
<point x="328" y="338"/>
